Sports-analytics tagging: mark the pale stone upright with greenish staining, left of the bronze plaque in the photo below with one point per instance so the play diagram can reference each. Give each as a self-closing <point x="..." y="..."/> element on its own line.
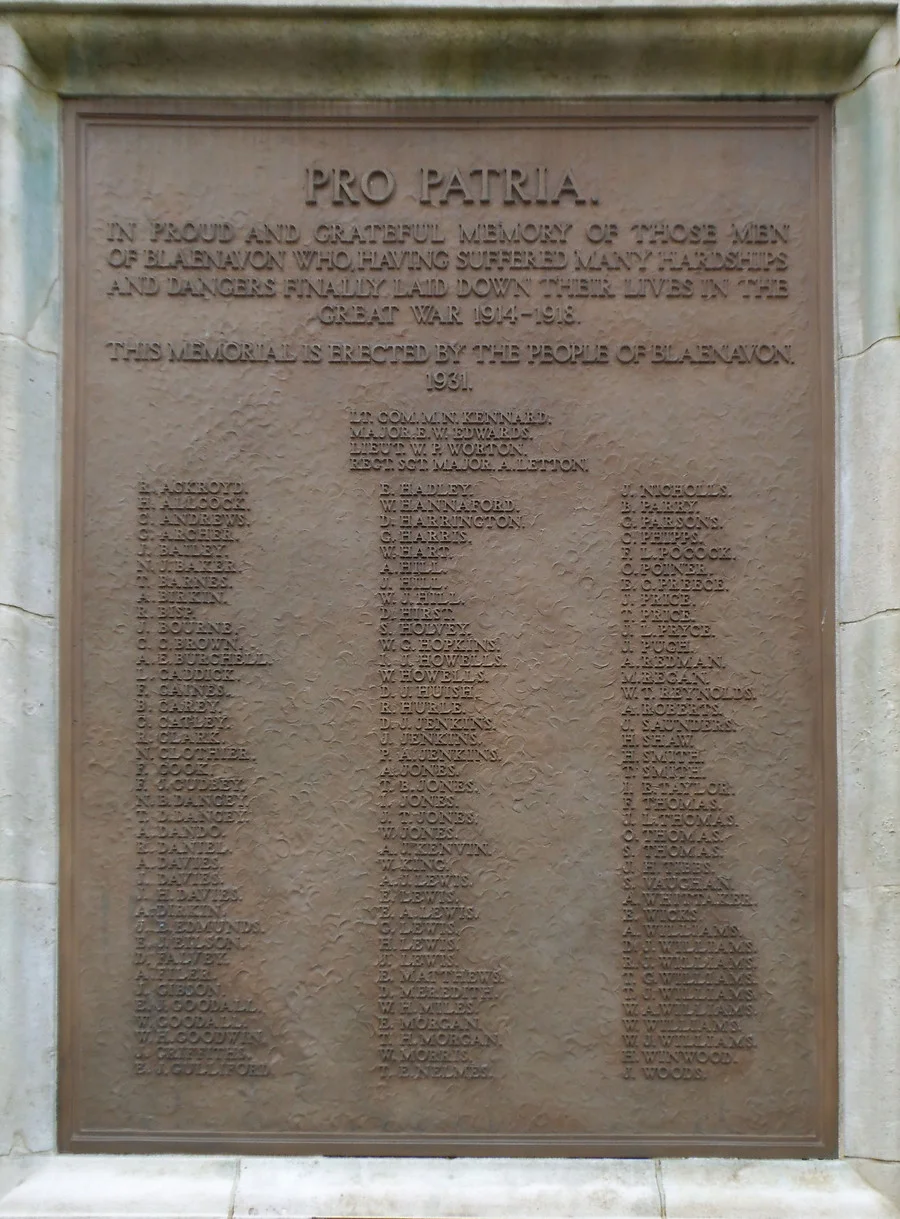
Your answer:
<point x="30" y="344"/>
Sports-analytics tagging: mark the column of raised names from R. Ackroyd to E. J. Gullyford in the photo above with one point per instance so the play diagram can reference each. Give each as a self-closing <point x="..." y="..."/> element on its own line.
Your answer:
<point x="191" y="786"/>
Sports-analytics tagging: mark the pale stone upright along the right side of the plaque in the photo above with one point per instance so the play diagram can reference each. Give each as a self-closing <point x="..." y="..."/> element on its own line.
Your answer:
<point x="868" y="272"/>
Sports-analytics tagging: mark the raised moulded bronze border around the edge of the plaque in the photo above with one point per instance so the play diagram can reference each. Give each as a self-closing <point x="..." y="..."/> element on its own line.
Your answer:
<point x="79" y="116"/>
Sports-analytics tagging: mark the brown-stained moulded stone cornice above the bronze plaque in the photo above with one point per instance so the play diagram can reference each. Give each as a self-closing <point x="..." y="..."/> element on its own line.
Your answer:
<point x="513" y="49"/>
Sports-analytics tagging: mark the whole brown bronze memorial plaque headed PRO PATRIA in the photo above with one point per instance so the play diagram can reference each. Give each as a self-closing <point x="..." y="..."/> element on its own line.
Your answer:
<point x="447" y="667"/>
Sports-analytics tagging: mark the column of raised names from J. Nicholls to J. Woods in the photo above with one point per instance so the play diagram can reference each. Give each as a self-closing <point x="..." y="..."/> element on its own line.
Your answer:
<point x="688" y="962"/>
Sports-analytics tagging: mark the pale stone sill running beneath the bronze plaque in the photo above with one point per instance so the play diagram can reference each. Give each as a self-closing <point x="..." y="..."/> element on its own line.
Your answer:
<point x="225" y="1188"/>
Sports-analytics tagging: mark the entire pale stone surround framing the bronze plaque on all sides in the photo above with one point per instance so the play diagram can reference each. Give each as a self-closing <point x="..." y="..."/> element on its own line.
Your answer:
<point x="631" y="49"/>
